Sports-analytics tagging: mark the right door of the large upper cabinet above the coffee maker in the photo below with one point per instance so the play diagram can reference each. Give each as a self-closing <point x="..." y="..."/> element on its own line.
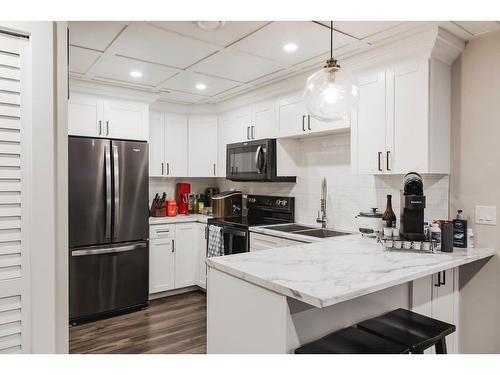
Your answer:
<point x="408" y="119"/>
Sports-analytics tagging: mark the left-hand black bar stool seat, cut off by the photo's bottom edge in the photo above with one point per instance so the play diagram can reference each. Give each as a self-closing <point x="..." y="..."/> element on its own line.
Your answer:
<point x="352" y="341"/>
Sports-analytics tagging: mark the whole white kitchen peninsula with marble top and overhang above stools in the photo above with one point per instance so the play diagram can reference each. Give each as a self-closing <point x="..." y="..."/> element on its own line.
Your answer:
<point x="273" y="301"/>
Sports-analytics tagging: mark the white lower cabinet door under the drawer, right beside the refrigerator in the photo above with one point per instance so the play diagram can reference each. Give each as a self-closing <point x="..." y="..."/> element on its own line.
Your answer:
<point x="161" y="265"/>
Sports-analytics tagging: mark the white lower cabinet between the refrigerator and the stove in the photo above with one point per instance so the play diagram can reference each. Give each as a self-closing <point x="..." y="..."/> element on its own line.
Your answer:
<point x="176" y="256"/>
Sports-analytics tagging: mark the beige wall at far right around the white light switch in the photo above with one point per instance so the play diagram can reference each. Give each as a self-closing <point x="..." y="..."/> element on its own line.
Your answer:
<point x="475" y="180"/>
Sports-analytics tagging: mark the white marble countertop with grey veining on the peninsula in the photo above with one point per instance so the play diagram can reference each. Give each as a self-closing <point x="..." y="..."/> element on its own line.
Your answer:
<point x="338" y="269"/>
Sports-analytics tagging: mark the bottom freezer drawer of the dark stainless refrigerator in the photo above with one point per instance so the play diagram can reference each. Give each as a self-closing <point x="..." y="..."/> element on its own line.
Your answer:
<point x="105" y="279"/>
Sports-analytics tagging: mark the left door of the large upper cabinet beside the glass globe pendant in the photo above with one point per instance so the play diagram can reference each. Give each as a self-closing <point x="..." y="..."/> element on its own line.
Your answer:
<point x="368" y="133"/>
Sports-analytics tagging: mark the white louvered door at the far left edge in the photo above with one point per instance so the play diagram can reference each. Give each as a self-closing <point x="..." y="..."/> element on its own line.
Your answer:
<point x="13" y="246"/>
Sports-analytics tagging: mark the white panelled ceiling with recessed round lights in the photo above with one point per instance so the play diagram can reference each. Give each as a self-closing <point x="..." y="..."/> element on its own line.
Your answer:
<point x="207" y="62"/>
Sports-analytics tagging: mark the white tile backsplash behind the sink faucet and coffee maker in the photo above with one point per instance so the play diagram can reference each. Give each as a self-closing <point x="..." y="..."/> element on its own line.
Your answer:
<point x="329" y="156"/>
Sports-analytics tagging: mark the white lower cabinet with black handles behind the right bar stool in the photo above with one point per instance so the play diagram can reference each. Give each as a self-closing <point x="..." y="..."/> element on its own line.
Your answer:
<point x="437" y="296"/>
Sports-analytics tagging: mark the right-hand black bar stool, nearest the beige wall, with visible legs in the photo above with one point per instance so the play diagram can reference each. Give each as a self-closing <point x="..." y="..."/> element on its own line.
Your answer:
<point x="417" y="332"/>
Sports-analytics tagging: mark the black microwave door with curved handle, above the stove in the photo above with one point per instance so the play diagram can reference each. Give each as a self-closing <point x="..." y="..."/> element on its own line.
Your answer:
<point x="248" y="161"/>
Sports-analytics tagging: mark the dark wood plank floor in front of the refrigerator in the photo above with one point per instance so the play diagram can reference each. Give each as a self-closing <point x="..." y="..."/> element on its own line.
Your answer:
<point x="170" y="325"/>
